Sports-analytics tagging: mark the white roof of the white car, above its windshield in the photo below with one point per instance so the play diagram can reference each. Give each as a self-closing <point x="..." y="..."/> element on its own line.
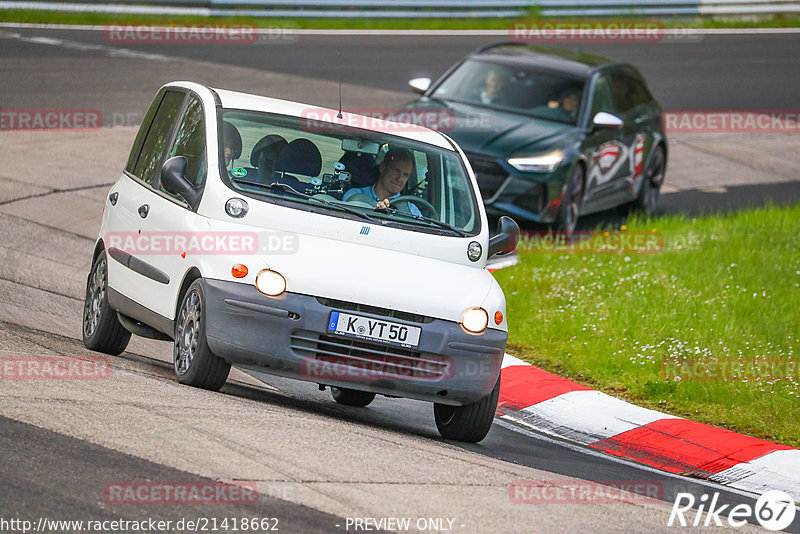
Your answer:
<point x="245" y="101"/>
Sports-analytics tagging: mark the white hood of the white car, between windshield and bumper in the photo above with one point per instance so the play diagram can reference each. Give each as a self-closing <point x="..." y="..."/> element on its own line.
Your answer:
<point x="337" y="261"/>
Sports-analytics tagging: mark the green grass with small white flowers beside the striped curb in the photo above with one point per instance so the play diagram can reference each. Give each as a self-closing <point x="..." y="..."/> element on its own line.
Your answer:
<point x="724" y="287"/>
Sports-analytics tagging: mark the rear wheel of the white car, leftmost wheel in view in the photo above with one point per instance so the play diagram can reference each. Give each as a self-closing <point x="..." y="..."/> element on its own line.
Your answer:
<point x="101" y="329"/>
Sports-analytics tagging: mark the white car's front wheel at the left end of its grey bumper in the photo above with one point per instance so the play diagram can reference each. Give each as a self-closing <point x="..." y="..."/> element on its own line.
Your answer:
<point x="195" y="364"/>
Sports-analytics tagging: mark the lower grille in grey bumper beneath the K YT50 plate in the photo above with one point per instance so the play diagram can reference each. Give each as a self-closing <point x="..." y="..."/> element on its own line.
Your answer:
<point x="370" y="360"/>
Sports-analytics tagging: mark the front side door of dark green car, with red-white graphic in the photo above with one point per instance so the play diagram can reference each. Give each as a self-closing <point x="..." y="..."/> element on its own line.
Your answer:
<point x="608" y="150"/>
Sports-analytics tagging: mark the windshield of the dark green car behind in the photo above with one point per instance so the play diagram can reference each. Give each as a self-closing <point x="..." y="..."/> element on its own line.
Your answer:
<point x="541" y="93"/>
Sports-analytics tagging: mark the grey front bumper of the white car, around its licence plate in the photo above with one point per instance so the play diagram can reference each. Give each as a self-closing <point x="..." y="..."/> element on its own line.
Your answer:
<point x="288" y="336"/>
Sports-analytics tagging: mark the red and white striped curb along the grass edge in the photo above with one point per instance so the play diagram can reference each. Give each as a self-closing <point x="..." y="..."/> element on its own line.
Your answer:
<point x="545" y="402"/>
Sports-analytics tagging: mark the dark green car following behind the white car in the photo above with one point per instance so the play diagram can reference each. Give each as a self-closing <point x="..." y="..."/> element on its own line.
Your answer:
<point x="552" y="134"/>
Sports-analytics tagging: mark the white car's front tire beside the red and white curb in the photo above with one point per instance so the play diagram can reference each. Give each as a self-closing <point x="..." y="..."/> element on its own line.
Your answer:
<point x="470" y="422"/>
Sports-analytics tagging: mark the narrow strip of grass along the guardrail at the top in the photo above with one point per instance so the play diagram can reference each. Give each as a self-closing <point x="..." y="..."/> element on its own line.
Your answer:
<point x="57" y="17"/>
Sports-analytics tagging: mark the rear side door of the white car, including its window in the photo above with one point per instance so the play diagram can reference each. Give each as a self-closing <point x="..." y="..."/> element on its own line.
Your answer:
<point x="130" y="267"/>
